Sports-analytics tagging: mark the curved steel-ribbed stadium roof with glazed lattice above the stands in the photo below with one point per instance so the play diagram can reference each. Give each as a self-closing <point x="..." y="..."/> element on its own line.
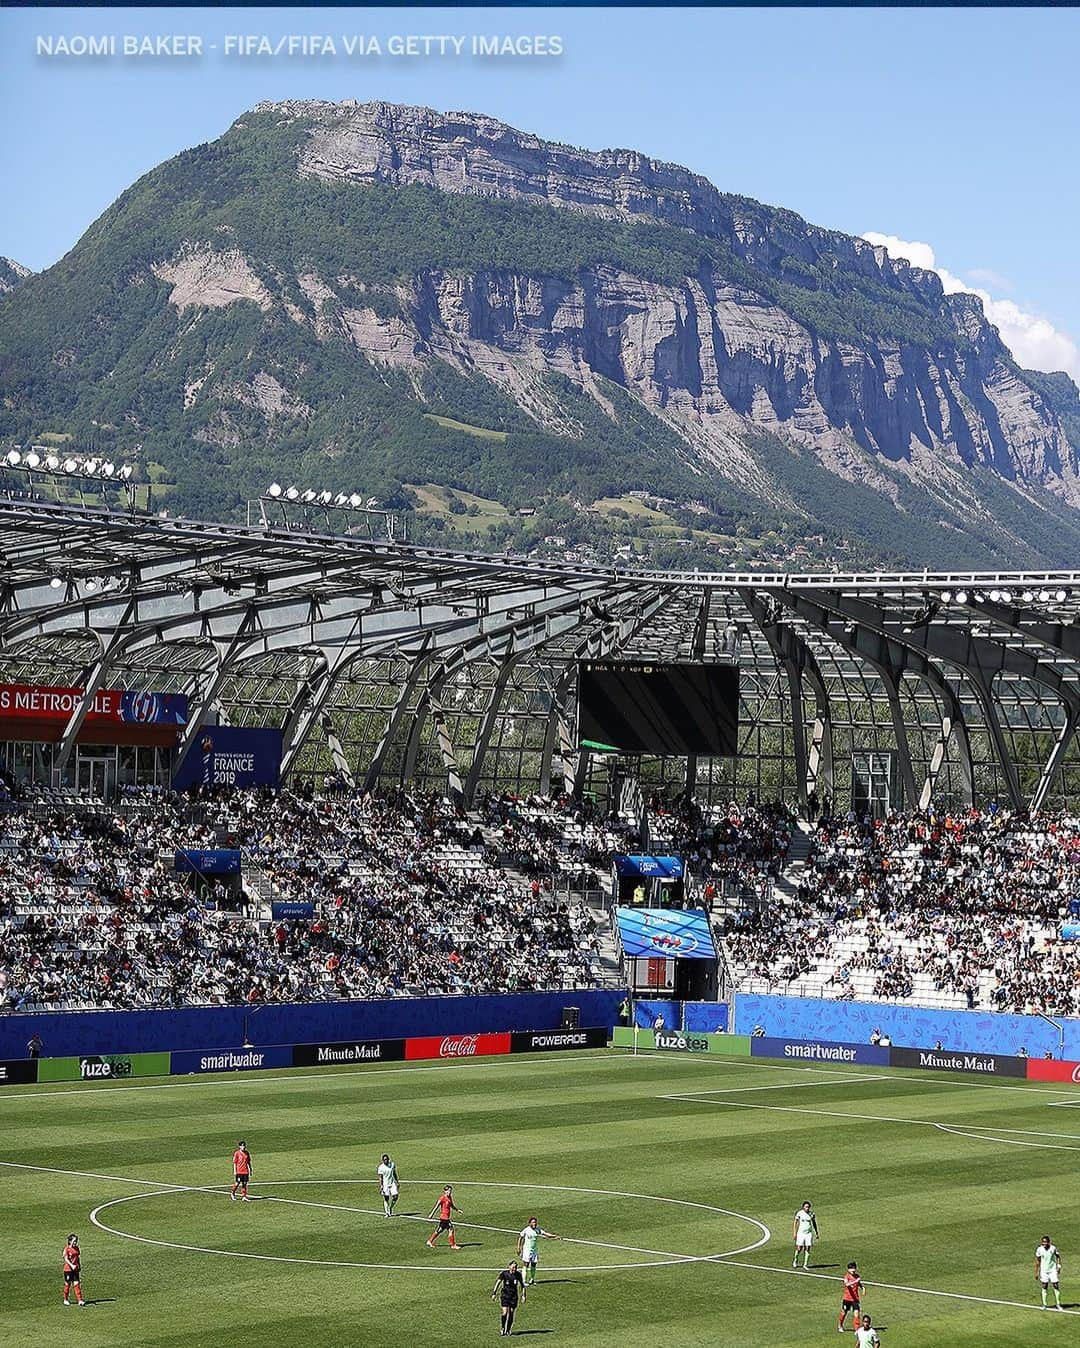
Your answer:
<point x="969" y="681"/>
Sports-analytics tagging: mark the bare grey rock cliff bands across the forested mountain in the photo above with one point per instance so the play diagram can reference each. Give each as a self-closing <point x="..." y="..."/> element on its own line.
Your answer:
<point x="709" y="357"/>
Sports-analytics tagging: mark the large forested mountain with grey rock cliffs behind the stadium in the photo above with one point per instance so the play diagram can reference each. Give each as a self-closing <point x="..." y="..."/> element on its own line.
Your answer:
<point x="444" y="311"/>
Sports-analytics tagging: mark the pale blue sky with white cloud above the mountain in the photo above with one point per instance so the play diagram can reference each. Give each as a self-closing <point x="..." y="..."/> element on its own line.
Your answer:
<point x="954" y="129"/>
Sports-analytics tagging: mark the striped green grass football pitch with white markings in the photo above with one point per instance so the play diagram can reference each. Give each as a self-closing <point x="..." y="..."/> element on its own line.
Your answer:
<point x="665" y="1171"/>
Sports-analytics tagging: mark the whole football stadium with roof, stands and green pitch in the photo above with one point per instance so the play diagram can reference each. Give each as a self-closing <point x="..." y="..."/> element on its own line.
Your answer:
<point x="651" y="904"/>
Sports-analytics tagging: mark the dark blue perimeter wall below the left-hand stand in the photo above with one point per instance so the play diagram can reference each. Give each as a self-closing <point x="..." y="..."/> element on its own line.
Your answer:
<point x="71" y="1033"/>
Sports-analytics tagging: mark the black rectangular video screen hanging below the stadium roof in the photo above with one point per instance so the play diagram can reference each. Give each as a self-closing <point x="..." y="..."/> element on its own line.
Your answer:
<point x="647" y="708"/>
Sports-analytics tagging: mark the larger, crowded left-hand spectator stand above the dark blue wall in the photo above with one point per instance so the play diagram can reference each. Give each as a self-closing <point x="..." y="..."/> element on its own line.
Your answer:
<point x="94" y="915"/>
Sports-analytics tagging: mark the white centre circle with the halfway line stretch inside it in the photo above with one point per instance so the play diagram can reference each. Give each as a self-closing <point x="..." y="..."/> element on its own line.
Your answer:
<point x="667" y="1257"/>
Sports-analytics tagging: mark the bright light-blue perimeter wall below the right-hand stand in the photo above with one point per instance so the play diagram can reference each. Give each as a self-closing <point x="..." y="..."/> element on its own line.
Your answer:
<point x="915" y="1028"/>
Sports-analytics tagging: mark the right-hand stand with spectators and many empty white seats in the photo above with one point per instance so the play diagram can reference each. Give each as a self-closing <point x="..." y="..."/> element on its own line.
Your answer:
<point x="947" y="911"/>
